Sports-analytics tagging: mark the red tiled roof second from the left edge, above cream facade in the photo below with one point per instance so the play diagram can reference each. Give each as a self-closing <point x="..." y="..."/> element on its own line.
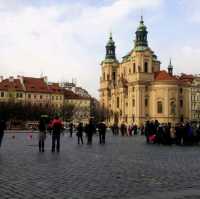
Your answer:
<point x="35" y="85"/>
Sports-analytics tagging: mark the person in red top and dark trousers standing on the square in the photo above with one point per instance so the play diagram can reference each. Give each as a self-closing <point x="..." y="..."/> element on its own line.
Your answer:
<point x="56" y="128"/>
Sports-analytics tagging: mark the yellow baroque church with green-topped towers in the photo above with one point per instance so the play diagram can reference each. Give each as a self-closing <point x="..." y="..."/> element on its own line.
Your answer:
<point x="136" y="89"/>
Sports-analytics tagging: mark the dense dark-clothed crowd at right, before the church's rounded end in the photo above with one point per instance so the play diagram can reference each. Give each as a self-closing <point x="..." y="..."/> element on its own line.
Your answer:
<point x="180" y="134"/>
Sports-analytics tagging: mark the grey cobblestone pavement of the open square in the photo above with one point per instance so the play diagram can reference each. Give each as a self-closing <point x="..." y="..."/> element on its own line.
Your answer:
<point x="124" y="168"/>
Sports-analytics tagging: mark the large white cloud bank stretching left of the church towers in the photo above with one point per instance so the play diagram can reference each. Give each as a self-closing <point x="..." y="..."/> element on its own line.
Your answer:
<point x="63" y="41"/>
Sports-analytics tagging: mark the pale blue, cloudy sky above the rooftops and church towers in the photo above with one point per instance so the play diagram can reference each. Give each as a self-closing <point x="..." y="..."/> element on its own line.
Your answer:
<point x="65" y="39"/>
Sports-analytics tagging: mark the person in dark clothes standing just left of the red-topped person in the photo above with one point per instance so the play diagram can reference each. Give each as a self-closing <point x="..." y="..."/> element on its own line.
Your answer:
<point x="42" y="134"/>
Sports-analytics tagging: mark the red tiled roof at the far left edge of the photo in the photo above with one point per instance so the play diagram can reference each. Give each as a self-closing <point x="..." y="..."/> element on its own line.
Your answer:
<point x="13" y="84"/>
